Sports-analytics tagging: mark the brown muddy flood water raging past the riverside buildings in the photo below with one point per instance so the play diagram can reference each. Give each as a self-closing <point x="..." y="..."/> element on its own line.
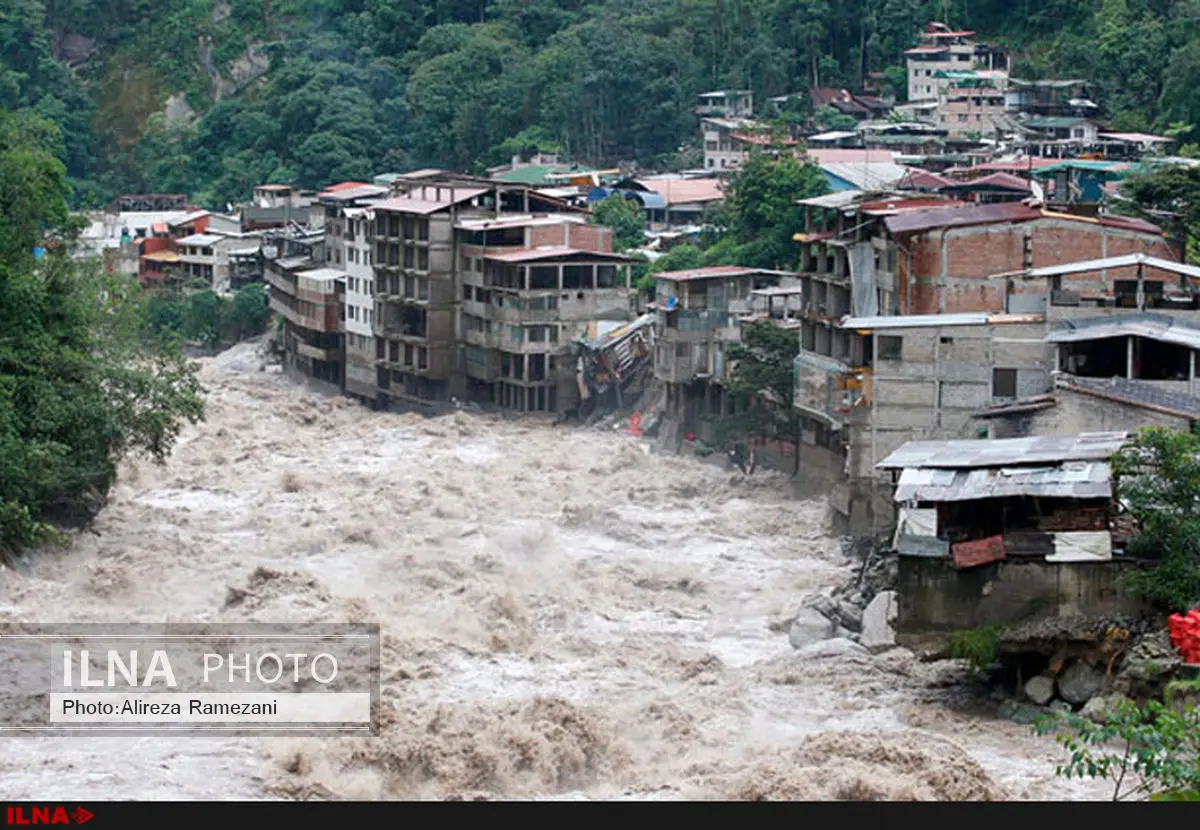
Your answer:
<point x="565" y="616"/>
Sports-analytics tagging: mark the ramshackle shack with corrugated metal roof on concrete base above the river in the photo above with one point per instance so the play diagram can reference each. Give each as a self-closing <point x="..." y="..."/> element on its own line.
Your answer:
<point x="1006" y="533"/>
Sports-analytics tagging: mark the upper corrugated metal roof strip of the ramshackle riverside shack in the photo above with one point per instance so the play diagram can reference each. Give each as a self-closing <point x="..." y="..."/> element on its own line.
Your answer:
<point x="1006" y="452"/>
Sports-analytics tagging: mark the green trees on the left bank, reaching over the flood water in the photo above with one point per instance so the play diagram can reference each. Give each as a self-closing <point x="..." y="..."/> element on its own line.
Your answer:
<point x="83" y="381"/>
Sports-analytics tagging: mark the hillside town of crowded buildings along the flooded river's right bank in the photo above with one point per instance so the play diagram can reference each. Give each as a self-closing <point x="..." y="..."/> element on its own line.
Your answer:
<point x="979" y="326"/>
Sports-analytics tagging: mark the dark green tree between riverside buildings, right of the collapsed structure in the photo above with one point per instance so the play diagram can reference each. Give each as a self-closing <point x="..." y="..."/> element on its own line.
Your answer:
<point x="761" y="386"/>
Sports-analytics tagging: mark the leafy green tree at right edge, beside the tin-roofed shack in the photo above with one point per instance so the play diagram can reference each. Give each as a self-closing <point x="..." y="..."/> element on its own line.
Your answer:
<point x="1159" y="479"/>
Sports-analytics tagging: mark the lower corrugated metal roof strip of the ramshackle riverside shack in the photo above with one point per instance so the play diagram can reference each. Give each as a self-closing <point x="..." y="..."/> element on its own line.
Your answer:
<point x="1070" y="480"/>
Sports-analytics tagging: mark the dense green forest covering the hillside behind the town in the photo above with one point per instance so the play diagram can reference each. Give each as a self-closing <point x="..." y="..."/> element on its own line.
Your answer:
<point x="213" y="97"/>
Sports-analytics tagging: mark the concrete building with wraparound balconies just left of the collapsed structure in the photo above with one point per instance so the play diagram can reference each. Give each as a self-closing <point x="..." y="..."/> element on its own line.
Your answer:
<point x="531" y="288"/>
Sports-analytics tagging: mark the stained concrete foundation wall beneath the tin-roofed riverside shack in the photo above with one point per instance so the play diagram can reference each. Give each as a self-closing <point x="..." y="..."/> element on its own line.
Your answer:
<point x="937" y="598"/>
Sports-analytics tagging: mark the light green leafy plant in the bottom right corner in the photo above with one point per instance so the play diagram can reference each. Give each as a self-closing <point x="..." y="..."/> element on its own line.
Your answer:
<point x="1149" y="753"/>
